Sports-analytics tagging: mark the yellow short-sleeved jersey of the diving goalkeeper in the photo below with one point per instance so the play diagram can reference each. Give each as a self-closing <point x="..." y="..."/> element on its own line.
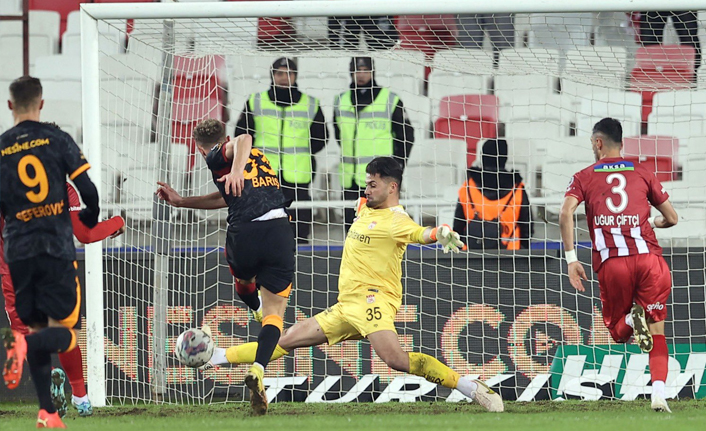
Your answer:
<point x="372" y="253"/>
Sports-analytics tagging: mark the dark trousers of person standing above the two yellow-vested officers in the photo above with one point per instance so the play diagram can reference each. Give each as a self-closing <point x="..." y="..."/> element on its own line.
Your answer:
<point x="378" y="31"/>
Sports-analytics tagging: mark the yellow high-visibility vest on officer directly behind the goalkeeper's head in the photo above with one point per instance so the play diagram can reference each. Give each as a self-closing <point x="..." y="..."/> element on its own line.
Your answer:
<point x="364" y="134"/>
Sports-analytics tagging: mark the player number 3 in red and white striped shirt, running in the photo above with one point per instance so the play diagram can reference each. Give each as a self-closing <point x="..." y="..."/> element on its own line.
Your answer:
<point x="633" y="277"/>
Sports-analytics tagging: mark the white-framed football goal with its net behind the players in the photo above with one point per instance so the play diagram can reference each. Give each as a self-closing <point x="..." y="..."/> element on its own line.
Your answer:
<point x="456" y="96"/>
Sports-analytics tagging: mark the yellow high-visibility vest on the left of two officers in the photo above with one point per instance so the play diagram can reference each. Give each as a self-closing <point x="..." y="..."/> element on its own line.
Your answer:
<point x="283" y="135"/>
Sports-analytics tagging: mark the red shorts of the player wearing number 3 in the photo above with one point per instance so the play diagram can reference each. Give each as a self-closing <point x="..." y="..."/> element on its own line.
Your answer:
<point x="641" y="279"/>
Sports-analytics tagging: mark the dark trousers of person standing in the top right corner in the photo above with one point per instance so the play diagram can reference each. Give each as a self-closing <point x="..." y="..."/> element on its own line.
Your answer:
<point x="685" y="23"/>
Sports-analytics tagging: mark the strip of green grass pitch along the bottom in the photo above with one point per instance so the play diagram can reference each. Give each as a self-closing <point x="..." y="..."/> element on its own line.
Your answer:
<point x="544" y="416"/>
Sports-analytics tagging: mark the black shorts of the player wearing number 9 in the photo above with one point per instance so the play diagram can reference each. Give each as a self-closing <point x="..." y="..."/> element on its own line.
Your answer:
<point x="47" y="287"/>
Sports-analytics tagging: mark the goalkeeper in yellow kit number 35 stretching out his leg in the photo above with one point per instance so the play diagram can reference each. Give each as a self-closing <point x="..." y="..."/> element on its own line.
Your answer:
<point x="370" y="290"/>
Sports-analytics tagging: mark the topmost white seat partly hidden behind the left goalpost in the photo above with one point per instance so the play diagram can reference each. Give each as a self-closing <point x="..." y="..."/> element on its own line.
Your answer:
<point x="111" y="36"/>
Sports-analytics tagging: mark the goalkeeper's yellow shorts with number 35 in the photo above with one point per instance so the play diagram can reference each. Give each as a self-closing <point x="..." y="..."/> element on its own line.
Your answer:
<point x="355" y="320"/>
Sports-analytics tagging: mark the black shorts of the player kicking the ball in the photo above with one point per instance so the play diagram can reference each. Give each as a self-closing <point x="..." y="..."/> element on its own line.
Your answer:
<point x="262" y="249"/>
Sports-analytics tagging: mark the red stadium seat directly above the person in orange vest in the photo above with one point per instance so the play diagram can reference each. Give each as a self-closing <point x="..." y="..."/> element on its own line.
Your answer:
<point x="470" y="117"/>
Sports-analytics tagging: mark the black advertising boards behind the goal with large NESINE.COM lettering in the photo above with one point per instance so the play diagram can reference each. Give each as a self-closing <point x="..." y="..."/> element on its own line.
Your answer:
<point x="503" y="317"/>
